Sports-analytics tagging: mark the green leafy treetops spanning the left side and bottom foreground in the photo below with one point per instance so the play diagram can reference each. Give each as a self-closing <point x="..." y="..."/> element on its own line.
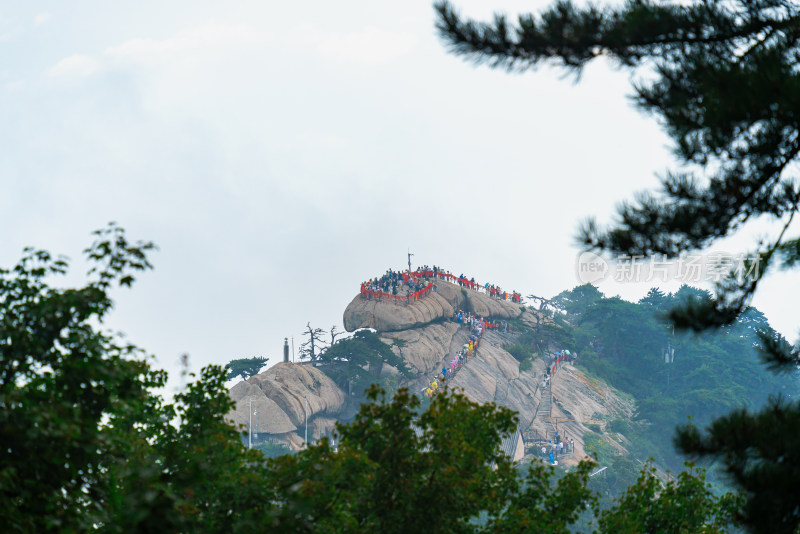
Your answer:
<point x="89" y="446"/>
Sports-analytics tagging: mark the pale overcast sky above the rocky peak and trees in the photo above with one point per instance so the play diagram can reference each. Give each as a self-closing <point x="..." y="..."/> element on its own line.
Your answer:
<point x="280" y="153"/>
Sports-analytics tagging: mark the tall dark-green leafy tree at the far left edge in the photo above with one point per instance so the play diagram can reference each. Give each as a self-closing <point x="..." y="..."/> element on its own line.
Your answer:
<point x="59" y="378"/>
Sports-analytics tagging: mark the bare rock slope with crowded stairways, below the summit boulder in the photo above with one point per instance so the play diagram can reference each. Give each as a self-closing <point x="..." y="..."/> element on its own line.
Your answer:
<point x="493" y="375"/>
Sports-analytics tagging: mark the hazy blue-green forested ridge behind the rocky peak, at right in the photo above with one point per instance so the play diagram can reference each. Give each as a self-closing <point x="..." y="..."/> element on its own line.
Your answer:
<point x="671" y="375"/>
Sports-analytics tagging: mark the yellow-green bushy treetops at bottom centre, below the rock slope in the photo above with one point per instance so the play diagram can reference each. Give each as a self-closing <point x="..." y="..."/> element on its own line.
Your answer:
<point x="397" y="471"/>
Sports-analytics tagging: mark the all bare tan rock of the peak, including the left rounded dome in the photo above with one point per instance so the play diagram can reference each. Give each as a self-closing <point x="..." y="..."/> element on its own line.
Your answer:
<point x="423" y="334"/>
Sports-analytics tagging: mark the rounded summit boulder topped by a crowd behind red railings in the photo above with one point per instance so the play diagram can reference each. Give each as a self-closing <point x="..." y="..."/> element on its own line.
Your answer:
<point x="391" y="316"/>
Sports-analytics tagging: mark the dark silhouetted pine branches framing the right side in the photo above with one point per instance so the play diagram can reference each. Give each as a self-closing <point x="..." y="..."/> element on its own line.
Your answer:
<point x="724" y="80"/>
